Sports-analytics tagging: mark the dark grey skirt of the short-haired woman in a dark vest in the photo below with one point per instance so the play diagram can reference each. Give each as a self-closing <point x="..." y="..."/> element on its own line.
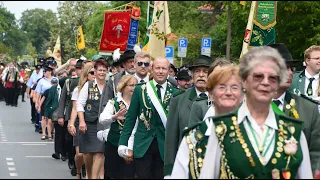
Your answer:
<point x="89" y="142"/>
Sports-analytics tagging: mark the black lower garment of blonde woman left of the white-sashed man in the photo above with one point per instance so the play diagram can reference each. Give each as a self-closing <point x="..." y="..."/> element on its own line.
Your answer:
<point x="115" y="166"/>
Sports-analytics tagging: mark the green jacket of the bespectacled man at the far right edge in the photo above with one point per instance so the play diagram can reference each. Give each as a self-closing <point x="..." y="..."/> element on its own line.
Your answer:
<point x="298" y="82"/>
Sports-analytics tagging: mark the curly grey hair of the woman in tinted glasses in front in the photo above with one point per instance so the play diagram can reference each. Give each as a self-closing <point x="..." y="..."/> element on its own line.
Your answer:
<point x="252" y="57"/>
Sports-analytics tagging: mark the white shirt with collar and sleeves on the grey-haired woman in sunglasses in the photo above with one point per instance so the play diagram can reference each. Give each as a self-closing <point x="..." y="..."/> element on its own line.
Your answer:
<point x="211" y="164"/>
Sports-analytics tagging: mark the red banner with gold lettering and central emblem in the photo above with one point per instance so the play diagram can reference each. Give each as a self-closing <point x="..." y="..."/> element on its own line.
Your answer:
<point x="115" y="31"/>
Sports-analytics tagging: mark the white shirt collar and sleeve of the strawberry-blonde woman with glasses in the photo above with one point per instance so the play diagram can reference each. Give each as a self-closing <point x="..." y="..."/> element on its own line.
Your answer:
<point x="181" y="164"/>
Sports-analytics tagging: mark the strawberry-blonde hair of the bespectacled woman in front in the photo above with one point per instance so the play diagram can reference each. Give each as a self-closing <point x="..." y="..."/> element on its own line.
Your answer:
<point x="222" y="75"/>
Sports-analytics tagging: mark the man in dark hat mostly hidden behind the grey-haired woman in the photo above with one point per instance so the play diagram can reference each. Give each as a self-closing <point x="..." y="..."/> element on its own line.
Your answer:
<point x="306" y="110"/>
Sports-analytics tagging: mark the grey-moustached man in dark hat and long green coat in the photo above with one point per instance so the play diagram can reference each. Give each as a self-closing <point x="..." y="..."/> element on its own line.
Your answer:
<point x="180" y="107"/>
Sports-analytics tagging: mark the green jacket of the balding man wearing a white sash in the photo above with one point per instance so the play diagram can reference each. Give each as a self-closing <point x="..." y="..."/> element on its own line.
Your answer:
<point x="138" y="109"/>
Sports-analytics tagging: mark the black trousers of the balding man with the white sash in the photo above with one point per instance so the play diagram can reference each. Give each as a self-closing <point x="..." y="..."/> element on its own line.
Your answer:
<point x="150" y="166"/>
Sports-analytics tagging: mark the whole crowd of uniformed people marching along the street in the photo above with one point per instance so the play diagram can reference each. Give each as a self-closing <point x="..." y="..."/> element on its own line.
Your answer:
<point x="143" y="118"/>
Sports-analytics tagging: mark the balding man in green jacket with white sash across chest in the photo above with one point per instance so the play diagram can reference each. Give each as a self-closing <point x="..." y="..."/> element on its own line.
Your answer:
<point x="150" y="104"/>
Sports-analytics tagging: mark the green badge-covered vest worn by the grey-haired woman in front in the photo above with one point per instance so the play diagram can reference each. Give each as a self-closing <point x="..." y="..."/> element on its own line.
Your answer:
<point x="239" y="158"/>
